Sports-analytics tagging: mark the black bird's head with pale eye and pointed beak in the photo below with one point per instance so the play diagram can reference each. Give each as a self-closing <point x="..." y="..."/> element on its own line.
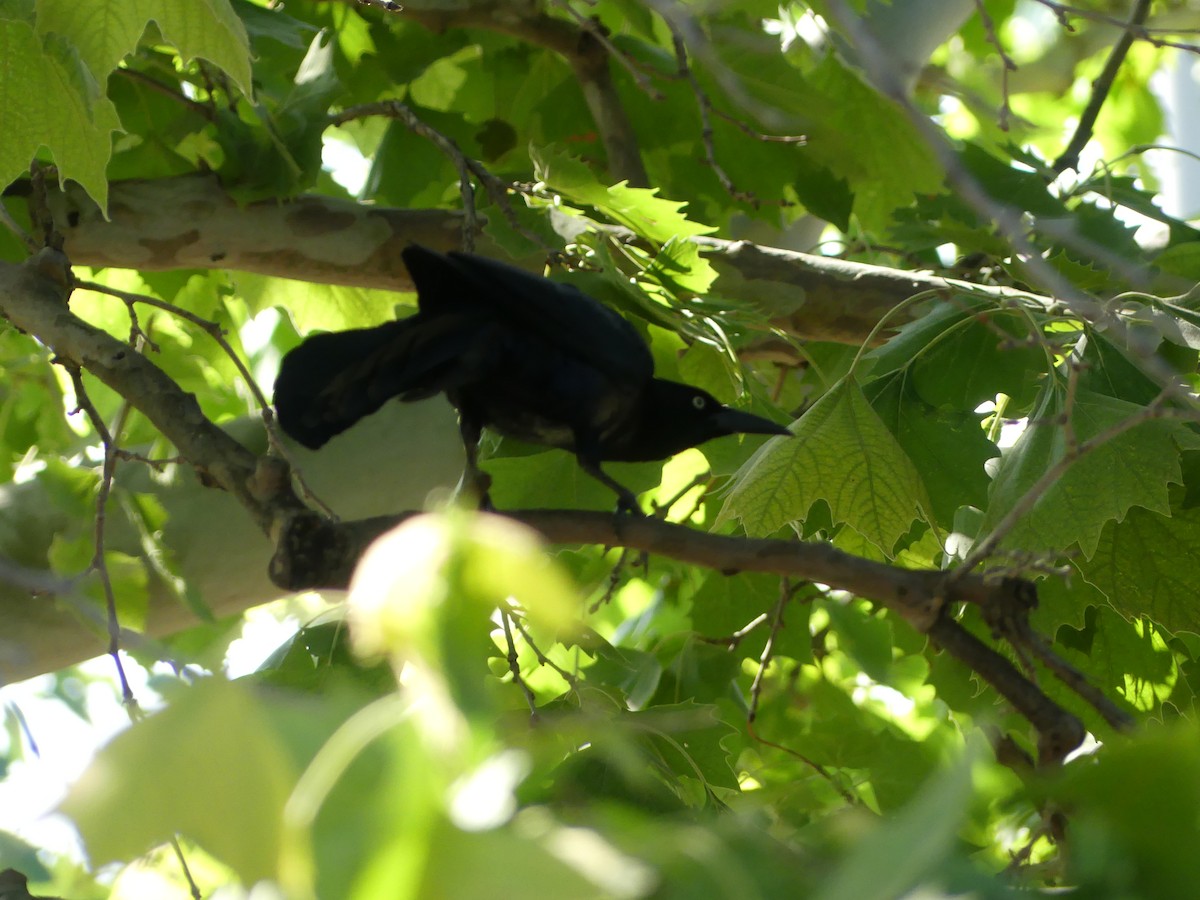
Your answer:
<point x="676" y="417"/>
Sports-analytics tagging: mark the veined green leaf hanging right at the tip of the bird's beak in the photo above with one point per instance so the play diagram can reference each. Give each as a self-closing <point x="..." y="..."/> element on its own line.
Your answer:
<point x="841" y="453"/>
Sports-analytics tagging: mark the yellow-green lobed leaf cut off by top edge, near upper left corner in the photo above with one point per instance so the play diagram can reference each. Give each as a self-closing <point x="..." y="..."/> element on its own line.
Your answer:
<point x="105" y="32"/>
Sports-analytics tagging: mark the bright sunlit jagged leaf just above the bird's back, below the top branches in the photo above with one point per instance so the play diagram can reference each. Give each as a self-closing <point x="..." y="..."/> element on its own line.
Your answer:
<point x="638" y="208"/>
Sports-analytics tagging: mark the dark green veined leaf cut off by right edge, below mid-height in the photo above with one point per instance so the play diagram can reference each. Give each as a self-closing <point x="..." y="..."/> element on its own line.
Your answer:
<point x="1142" y="566"/>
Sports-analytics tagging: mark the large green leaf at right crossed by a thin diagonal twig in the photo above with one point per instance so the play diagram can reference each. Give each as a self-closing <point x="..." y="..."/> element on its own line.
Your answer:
<point x="1135" y="469"/>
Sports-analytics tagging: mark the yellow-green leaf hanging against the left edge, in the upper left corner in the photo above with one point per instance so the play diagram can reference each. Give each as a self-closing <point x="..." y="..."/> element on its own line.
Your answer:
<point x="49" y="99"/>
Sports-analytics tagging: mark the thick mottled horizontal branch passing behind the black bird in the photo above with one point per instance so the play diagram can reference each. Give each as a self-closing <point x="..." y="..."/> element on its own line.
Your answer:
<point x="190" y="223"/>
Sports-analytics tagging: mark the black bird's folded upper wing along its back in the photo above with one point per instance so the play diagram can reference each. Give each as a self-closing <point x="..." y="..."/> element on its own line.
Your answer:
<point x="559" y="315"/>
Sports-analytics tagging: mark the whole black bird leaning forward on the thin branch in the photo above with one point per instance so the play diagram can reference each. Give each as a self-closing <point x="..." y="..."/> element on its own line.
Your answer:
<point x="531" y="358"/>
